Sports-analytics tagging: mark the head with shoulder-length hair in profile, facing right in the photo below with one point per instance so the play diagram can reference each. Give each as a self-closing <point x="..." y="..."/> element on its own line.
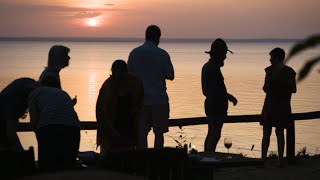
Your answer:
<point x="58" y="57"/>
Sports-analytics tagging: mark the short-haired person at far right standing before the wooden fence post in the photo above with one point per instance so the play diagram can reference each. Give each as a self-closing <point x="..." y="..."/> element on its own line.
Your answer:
<point x="279" y="85"/>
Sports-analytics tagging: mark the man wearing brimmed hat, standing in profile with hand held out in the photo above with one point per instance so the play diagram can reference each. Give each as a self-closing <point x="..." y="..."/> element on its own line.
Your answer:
<point x="213" y="87"/>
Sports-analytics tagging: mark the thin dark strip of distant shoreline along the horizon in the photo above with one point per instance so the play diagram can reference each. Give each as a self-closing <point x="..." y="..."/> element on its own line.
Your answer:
<point x="116" y="39"/>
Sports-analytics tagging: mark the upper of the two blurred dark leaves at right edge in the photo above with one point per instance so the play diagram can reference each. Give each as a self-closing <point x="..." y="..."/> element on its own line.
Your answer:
<point x="311" y="41"/>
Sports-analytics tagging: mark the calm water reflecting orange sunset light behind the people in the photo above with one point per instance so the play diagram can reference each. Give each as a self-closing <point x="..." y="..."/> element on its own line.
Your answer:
<point x="243" y="71"/>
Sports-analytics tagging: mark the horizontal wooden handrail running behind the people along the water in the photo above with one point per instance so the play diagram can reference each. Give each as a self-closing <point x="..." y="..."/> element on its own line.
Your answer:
<point x="92" y="125"/>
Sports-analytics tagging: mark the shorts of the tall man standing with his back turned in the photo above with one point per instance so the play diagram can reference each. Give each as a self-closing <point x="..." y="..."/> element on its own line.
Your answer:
<point x="156" y="117"/>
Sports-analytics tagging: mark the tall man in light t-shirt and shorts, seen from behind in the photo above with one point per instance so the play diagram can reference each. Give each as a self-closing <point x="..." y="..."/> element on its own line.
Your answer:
<point x="153" y="66"/>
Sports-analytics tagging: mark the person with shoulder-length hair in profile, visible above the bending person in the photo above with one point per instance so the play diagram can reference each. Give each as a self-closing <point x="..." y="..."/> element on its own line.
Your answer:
<point x="58" y="58"/>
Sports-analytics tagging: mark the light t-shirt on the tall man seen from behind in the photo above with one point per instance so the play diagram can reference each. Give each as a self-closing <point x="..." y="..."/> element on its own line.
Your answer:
<point x="152" y="65"/>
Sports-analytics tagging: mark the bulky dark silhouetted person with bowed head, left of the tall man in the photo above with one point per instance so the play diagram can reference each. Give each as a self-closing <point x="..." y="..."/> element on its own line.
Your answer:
<point x="118" y="109"/>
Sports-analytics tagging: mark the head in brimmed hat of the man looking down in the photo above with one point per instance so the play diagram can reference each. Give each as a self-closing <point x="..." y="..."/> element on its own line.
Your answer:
<point x="219" y="51"/>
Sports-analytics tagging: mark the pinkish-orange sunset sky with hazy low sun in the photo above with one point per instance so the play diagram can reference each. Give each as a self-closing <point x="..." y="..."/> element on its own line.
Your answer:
<point x="177" y="19"/>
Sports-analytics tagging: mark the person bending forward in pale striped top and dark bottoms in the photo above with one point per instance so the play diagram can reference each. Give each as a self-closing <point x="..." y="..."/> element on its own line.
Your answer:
<point x="55" y="124"/>
